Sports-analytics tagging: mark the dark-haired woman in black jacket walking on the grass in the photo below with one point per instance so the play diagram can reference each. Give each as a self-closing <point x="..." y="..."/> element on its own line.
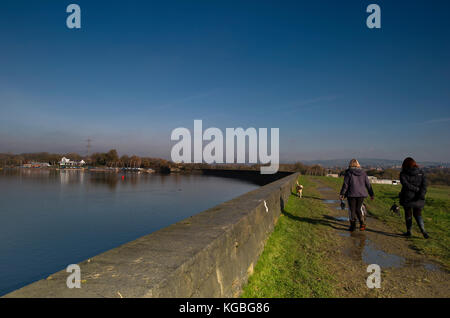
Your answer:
<point x="412" y="195"/>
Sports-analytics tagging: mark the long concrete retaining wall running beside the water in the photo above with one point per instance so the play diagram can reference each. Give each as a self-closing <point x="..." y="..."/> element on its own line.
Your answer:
<point x="210" y="254"/>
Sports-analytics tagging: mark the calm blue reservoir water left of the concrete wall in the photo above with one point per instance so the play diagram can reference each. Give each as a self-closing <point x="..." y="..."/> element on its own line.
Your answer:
<point x="49" y="219"/>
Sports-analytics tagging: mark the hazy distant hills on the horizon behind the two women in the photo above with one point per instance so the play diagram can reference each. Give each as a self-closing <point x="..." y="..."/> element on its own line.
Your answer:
<point x="367" y="162"/>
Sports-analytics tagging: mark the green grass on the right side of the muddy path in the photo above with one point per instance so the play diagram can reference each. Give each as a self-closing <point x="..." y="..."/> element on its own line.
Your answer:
<point x="436" y="216"/>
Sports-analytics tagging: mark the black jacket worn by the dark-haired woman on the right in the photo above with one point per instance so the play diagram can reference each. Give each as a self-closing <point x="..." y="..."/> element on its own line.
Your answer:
<point x="414" y="188"/>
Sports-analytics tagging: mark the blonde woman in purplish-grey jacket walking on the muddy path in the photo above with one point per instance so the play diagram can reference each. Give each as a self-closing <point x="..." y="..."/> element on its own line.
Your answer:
<point x="356" y="188"/>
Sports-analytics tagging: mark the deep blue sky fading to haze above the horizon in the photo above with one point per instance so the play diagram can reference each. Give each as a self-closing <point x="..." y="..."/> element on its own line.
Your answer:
<point x="138" y="69"/>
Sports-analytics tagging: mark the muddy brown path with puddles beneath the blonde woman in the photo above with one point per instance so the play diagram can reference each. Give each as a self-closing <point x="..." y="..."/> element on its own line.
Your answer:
<point x="404" y="272"/>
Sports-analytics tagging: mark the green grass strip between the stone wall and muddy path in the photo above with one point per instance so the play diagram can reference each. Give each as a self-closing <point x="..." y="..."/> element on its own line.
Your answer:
<point x="293" y="263"/>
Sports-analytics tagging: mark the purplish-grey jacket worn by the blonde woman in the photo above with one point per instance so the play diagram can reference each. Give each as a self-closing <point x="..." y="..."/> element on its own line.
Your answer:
<point x="356" y="184"/>
